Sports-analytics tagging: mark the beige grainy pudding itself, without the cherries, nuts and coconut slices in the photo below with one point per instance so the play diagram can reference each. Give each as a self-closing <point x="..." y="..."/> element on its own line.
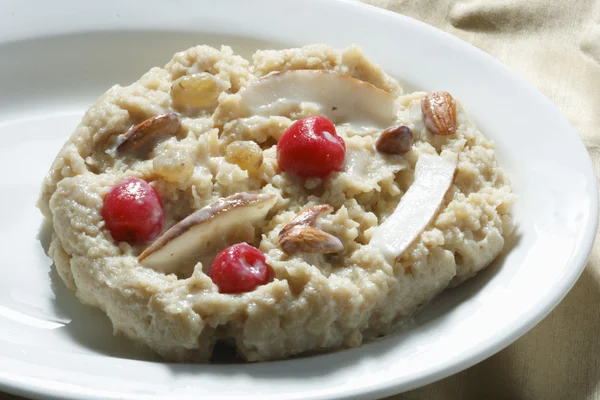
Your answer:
<point x="316" y="302"/>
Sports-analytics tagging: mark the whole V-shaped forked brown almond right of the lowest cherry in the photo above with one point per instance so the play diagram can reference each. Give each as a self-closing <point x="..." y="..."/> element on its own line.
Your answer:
<point x="300" y="235"/>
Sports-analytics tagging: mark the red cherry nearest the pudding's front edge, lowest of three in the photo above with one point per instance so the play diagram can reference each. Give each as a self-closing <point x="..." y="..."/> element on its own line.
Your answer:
<point x="240" y="268"/>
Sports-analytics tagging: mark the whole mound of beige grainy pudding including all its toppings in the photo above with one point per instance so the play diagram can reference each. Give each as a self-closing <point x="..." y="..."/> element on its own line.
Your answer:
<point x="298" y="202"/>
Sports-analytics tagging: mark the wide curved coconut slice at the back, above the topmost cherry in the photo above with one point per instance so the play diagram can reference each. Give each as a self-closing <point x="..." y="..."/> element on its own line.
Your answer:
<point x="342" y="99"/>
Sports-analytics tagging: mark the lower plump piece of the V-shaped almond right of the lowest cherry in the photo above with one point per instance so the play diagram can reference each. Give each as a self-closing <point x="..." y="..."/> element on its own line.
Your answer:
<point x="307" y="239"/>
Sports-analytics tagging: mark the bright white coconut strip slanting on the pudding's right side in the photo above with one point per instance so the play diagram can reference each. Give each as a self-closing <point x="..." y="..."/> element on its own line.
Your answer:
<point x="417" y="208"/>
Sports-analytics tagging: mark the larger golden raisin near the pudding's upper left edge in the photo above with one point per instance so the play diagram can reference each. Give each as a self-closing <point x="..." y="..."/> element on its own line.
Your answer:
<point x="198" y="90"/>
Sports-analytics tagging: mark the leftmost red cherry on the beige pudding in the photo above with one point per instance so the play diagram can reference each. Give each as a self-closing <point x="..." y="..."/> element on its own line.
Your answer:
<point x="133" y="212"/>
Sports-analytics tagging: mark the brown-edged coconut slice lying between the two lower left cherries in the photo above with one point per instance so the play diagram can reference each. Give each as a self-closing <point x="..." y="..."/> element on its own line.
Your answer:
<point x="186" y="240"/>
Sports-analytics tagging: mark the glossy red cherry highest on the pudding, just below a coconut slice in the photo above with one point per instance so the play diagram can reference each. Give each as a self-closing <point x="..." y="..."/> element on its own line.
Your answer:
<point x="311" y="147"/>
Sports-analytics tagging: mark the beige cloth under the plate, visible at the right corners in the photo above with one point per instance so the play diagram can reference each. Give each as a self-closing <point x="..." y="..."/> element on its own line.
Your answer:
<point x="555" y="44"/>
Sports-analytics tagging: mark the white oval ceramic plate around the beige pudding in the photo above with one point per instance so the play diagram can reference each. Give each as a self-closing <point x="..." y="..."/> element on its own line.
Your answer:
<point x="57" y="57"/>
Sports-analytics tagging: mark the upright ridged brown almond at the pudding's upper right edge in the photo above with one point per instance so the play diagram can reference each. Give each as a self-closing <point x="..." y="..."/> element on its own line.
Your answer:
<point x="439" y="113"/>
